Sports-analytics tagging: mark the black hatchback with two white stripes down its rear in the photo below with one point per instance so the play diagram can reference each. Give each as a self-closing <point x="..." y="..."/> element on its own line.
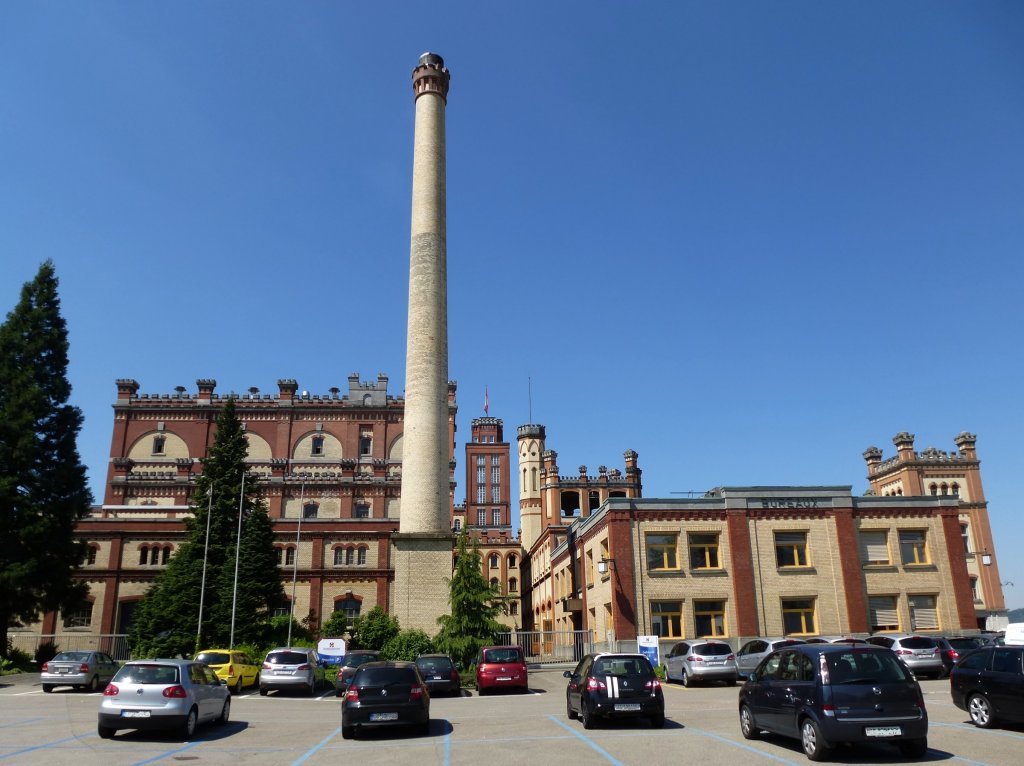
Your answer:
<point x="614" y="687"/>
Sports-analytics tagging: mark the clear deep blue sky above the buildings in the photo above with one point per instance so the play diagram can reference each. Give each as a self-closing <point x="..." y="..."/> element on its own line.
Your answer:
<point x="746" y="240"/>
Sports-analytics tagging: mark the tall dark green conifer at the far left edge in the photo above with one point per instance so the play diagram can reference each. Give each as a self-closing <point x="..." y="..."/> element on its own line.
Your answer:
<point x="44" y="488"/>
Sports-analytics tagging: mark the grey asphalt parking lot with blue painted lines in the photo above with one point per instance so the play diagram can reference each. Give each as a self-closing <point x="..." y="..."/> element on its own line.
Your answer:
<point x="497" y="730"/>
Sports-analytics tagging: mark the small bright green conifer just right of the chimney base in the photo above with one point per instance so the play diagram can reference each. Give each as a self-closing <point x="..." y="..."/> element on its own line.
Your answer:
<point x="476" y="605"/>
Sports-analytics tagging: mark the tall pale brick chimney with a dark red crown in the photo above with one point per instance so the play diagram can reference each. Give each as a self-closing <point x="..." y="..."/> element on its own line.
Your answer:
<point x="423" y="547"/>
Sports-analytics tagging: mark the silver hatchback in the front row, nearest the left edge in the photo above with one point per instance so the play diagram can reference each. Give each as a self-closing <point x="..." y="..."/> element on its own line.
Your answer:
<point x="163" y="695"/>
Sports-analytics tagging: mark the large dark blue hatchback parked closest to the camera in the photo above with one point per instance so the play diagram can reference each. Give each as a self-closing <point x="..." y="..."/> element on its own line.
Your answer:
<point x="825" y="695"/>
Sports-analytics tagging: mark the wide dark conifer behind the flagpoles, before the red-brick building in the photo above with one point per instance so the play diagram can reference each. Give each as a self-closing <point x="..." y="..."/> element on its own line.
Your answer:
<point x="166" y="620"/>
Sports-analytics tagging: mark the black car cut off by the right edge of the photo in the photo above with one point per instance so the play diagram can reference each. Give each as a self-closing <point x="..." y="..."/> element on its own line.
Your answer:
<point x="989" y="684"/>
